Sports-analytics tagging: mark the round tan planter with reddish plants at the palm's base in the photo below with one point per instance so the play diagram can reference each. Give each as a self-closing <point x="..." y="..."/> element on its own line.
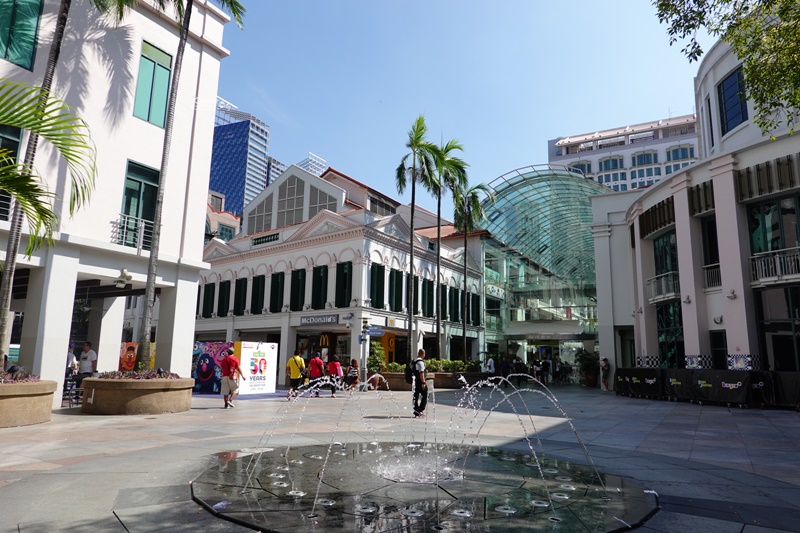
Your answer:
<point x="136" y="396"/>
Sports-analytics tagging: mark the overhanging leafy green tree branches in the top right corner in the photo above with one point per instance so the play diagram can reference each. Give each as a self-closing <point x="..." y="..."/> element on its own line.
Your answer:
<point x="764" y="34"/>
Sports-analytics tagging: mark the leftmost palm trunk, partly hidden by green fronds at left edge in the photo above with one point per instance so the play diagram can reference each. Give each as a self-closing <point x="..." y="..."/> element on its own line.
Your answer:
<point x="15" y="231"/>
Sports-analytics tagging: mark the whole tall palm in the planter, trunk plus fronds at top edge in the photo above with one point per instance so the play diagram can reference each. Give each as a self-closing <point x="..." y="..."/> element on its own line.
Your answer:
<point x="183" y="9"/>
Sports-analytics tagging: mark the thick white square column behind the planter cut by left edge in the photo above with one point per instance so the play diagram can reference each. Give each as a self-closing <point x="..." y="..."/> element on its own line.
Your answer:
<point x="48" y="316"/>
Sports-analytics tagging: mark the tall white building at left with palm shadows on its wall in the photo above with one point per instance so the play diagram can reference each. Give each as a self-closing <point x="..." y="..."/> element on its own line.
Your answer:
<point x="120" y="88"/>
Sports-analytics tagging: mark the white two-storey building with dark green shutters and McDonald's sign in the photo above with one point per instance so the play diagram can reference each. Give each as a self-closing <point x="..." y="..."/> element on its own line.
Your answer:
<point x="320" y="256"/>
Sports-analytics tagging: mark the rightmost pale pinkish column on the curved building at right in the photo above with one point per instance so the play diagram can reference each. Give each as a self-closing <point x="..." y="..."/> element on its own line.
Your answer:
<point x="734" y="260"/>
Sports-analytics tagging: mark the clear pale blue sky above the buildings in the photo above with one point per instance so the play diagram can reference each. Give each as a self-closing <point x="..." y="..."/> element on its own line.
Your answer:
<point x="345" y="79"/>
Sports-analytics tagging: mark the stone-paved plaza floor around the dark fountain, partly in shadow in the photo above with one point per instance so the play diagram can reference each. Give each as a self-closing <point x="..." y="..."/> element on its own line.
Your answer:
<point x="714" y="468"/>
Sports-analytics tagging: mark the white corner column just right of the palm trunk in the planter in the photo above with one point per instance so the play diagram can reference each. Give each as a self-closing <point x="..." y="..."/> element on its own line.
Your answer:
<point x="175" y="334"/>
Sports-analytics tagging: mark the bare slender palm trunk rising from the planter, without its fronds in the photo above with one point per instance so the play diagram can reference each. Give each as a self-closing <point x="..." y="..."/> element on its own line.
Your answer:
<point x="150" y="287"/>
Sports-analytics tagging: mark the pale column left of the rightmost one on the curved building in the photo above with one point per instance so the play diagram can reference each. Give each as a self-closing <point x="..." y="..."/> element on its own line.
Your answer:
<point x="689" y="234"/>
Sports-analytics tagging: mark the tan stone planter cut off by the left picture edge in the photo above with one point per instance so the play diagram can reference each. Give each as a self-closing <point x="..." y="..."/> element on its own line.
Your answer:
<point x="24" y="404"/>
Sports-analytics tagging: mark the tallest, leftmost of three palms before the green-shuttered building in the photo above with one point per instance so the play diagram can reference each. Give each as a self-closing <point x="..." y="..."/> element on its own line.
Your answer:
<point x="421" y="170"/>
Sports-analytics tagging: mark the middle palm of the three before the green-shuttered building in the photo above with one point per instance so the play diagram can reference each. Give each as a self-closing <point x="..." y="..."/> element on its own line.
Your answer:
<point x="451" y="173"/>
